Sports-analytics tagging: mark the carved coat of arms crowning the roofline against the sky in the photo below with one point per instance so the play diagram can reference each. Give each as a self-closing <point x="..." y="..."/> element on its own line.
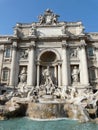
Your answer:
<point x="48" y="18"/>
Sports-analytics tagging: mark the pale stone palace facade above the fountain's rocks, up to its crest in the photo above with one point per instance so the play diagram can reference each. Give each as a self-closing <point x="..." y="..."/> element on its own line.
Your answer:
<point x="49" y="53"/>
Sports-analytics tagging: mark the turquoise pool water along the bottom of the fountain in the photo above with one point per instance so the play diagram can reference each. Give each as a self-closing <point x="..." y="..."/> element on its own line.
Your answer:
<point x="27" y="124"/>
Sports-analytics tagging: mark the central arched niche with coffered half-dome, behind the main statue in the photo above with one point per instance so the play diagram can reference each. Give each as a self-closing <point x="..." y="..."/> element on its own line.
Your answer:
<point x="48" y="58"/>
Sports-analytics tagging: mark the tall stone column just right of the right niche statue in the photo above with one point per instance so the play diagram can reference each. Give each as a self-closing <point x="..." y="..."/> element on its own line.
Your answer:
<point x="84" y="78"/>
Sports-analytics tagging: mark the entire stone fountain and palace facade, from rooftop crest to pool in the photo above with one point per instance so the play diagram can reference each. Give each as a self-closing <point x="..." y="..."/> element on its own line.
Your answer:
<point x="50" y="66"/>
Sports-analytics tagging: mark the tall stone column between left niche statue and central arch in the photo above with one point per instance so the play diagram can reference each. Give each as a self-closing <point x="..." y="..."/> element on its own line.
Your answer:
<point x="31" y="66"/>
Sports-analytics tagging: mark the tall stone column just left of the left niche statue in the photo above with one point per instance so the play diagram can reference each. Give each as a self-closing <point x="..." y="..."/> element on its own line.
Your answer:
<point x="13" y="64"/>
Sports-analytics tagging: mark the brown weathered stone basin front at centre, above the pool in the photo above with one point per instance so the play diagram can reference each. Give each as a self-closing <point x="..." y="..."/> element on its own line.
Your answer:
<point x="46" y="110"/>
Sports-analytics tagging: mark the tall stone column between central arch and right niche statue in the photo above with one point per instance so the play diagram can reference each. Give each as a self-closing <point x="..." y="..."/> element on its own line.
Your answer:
<point x="64" y="64"/>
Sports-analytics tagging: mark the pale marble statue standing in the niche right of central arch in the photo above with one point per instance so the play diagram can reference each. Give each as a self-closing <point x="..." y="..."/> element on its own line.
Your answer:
<point x="75" y="74"/>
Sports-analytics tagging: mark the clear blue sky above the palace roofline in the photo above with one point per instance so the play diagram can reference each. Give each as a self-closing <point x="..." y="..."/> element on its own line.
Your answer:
<point x="26" y="11"/>
